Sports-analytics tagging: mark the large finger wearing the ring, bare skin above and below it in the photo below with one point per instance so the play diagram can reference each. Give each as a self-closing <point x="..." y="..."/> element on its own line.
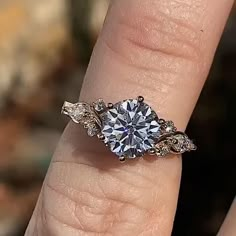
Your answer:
<point x="162" y="50"/>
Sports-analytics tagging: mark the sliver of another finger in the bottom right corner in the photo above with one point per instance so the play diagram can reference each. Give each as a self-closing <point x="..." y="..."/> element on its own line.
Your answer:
<point x="229" y="226"/>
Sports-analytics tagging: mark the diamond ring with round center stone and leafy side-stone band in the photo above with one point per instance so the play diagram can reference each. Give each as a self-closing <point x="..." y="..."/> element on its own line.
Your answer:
<point x="130" y="128"/>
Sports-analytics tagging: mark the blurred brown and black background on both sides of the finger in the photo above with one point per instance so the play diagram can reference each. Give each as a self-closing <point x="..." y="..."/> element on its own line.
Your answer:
<point x="44" y="51"/>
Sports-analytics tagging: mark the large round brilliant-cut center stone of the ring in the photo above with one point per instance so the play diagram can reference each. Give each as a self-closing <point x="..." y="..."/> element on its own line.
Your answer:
<point x="130" y="128"/>
